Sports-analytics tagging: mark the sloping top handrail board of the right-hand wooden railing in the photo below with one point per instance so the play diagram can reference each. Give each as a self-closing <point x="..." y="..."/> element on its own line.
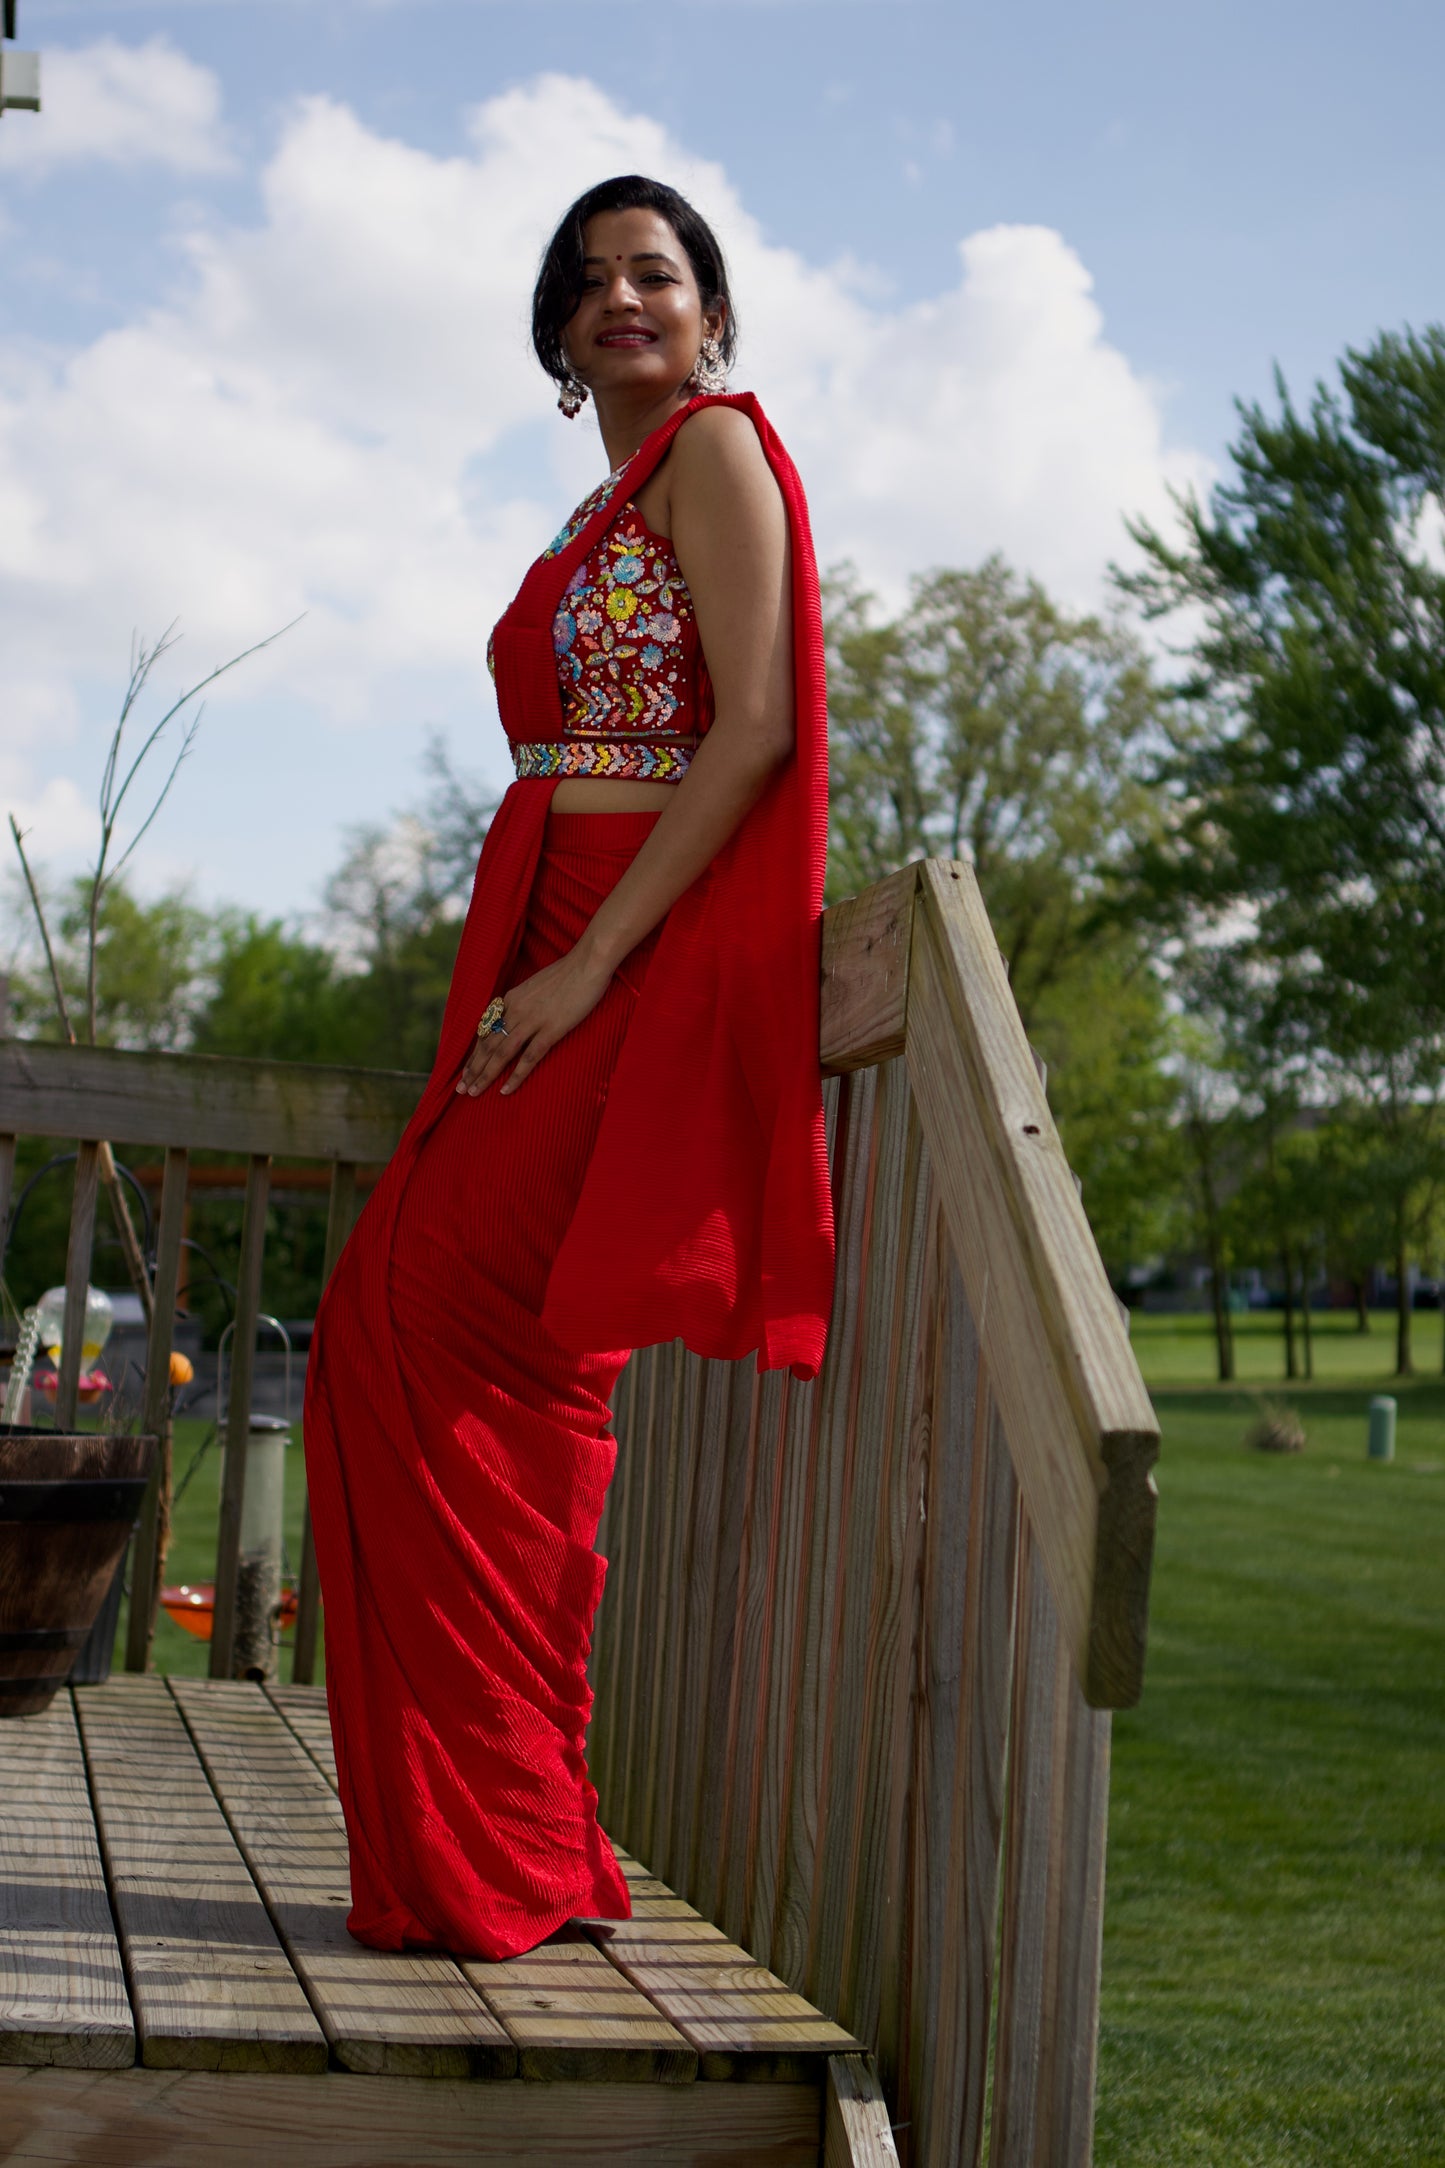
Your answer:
<point x="1076" y="1410"/>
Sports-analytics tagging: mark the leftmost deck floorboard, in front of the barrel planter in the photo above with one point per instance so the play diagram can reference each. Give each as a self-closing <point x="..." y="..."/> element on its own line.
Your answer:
<point x="62" y="1980"/>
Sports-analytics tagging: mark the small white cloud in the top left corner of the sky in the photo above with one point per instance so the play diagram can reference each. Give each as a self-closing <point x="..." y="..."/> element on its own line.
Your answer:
<point x="122" y="105"/>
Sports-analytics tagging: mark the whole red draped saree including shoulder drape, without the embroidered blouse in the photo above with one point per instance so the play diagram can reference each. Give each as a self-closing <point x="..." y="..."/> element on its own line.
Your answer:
<point x="662" y="1176"/>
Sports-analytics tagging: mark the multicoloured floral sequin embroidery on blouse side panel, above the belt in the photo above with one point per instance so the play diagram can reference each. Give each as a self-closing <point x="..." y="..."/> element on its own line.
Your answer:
<point x="619" y="636"/>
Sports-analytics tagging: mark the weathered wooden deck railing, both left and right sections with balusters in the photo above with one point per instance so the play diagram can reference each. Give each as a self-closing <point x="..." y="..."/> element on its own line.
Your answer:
<point x="859" y="1638"/>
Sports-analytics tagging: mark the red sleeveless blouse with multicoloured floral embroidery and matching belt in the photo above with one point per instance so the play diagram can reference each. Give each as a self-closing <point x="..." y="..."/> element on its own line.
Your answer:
<point x="636" y="691"/>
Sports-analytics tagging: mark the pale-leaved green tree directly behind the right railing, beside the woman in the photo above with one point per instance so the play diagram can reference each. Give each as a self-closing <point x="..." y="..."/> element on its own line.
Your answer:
<point x="991" y="725"/>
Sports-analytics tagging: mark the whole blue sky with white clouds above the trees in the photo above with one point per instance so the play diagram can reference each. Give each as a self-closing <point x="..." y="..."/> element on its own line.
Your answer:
<point x="263" y="326"/>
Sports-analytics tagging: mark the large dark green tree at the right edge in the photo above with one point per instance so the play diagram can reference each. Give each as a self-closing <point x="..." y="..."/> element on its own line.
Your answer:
<point x="1307" y="812"/>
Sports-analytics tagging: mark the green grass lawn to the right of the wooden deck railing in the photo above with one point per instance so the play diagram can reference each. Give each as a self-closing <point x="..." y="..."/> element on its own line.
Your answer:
<point x="1275" y="1931"/>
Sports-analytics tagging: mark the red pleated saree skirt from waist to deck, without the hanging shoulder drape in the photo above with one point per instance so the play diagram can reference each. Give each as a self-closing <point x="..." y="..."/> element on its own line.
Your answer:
<point x="458" y="1460"/>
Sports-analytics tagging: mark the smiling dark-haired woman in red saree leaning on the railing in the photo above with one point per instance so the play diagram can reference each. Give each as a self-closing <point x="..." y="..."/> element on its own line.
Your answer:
<point x="623" y="1135"/>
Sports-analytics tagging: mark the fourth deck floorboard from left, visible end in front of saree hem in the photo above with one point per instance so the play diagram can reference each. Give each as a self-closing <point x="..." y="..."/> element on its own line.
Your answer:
<point x="577" y="2017"/>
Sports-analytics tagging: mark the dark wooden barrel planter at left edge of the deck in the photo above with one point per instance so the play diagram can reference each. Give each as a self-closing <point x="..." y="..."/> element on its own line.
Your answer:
<point x="66" y="1514"/>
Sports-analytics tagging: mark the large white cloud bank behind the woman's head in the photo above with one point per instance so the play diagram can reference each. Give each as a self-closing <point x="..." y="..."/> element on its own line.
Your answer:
<point x="337" y="411"/>
